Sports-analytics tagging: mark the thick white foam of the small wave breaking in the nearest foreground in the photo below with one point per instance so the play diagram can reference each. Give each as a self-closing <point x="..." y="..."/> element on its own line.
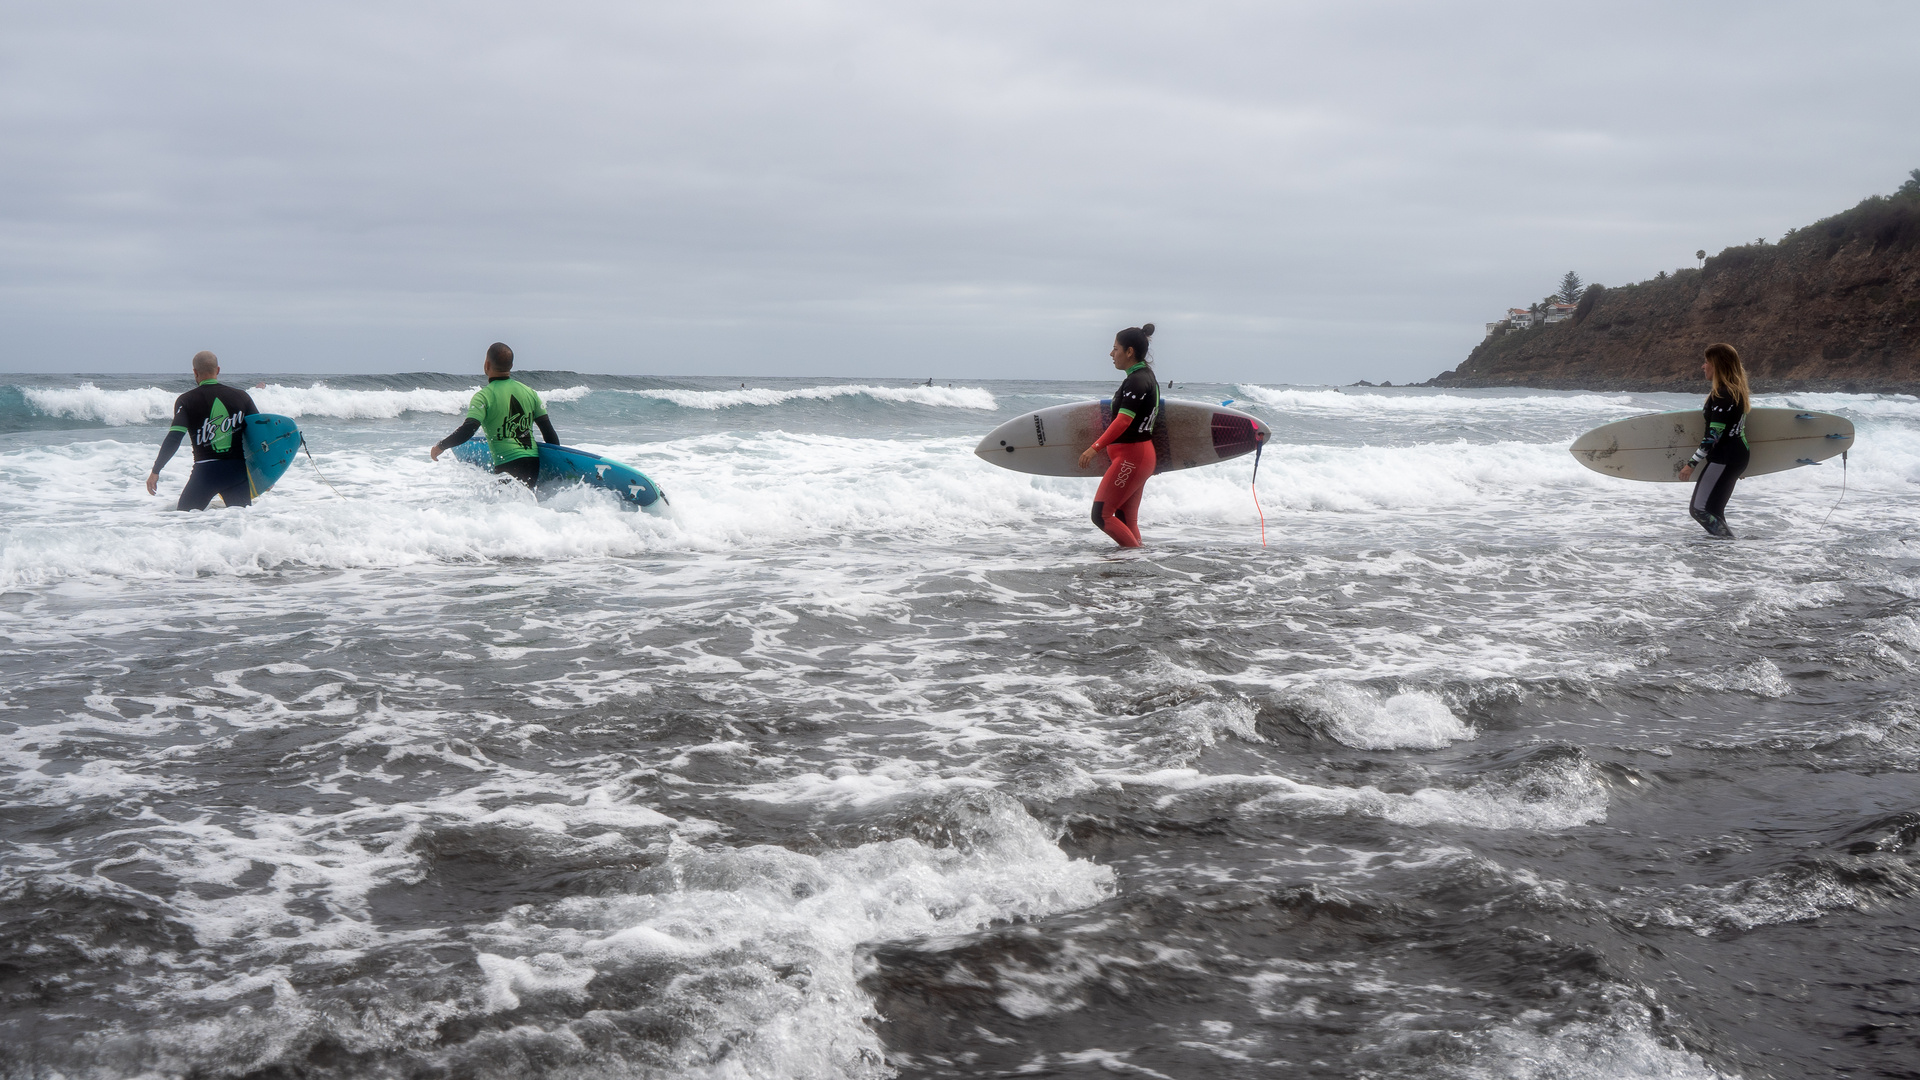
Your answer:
<point x="740" y="918"/>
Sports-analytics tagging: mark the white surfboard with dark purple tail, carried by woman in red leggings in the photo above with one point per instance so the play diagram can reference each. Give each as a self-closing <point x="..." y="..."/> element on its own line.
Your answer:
<point x="1051" y="441"/>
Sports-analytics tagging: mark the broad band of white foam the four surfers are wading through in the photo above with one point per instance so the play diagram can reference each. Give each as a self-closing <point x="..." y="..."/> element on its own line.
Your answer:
<point x="78" y="508"/>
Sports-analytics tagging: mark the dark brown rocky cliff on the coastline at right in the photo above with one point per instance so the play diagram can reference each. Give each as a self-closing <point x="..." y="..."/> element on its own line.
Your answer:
<point x="1833" y="307"/>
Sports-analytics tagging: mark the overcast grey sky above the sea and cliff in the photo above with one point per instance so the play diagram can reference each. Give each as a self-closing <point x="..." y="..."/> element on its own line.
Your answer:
<point x="1295" y="193"/>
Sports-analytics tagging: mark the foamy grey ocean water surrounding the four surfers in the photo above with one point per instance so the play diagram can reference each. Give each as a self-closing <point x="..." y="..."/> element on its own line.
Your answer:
<point x="875" y="760"/>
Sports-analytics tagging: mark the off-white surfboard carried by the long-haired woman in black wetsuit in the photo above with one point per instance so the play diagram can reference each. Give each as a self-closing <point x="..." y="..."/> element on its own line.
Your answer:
<point x="1654" y="447"/>
